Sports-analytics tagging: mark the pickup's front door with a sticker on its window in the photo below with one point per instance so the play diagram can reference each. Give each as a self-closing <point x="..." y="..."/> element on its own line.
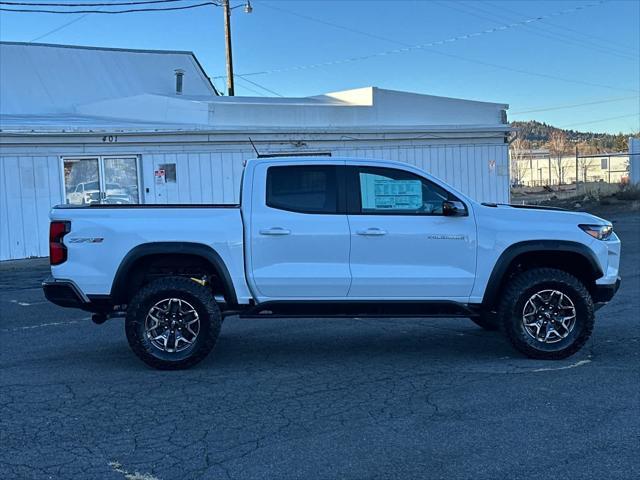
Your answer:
<point x="402" y="246"/>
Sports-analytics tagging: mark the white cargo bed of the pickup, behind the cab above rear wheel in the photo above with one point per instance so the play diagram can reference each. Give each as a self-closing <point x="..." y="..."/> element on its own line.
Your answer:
<point x="108" y="240"/>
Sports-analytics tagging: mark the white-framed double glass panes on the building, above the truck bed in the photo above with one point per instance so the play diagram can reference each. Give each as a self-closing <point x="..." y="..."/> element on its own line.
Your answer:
<point x="109" y="180"/>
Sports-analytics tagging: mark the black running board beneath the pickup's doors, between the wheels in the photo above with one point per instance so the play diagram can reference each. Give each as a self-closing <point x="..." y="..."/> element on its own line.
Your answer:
<point x="357" y="308"/>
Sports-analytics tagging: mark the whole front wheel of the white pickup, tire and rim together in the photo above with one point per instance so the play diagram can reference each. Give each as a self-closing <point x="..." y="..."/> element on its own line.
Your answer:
<point x="546" y="313"/>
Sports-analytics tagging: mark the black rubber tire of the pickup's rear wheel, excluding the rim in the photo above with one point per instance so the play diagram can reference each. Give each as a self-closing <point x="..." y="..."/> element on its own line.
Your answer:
<point x="200" y="297"/>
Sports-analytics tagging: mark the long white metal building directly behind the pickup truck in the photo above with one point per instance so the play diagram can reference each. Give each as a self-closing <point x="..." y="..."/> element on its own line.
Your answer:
<point x="85" y="124"/>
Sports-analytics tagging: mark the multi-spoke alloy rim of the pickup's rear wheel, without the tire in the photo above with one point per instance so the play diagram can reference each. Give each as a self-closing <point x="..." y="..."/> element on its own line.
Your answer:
<point x="172" y="325"/>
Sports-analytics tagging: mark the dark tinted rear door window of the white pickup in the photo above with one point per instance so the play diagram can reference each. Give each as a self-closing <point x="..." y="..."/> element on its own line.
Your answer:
<point x="303" y="189"/>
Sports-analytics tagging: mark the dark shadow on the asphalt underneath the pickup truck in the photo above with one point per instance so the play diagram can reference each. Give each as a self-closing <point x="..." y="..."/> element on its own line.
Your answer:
<point x="315" y="344"/>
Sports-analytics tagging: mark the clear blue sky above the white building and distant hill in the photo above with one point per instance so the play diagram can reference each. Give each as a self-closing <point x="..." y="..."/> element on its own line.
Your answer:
<point x="553" y="54"/>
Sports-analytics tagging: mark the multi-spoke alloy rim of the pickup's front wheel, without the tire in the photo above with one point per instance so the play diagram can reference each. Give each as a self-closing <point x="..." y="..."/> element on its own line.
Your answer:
<point x="549" y="316"/>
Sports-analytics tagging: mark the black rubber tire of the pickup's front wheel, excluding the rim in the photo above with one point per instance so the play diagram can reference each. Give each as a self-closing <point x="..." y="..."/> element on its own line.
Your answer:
<point x="519" y="290"/>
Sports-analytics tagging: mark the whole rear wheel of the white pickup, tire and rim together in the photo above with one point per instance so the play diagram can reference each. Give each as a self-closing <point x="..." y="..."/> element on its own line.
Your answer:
<point x="172" y="323"/>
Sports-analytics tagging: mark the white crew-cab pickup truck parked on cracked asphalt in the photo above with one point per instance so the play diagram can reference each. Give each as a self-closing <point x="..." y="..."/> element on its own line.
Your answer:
<point x="327" y="236"/>
